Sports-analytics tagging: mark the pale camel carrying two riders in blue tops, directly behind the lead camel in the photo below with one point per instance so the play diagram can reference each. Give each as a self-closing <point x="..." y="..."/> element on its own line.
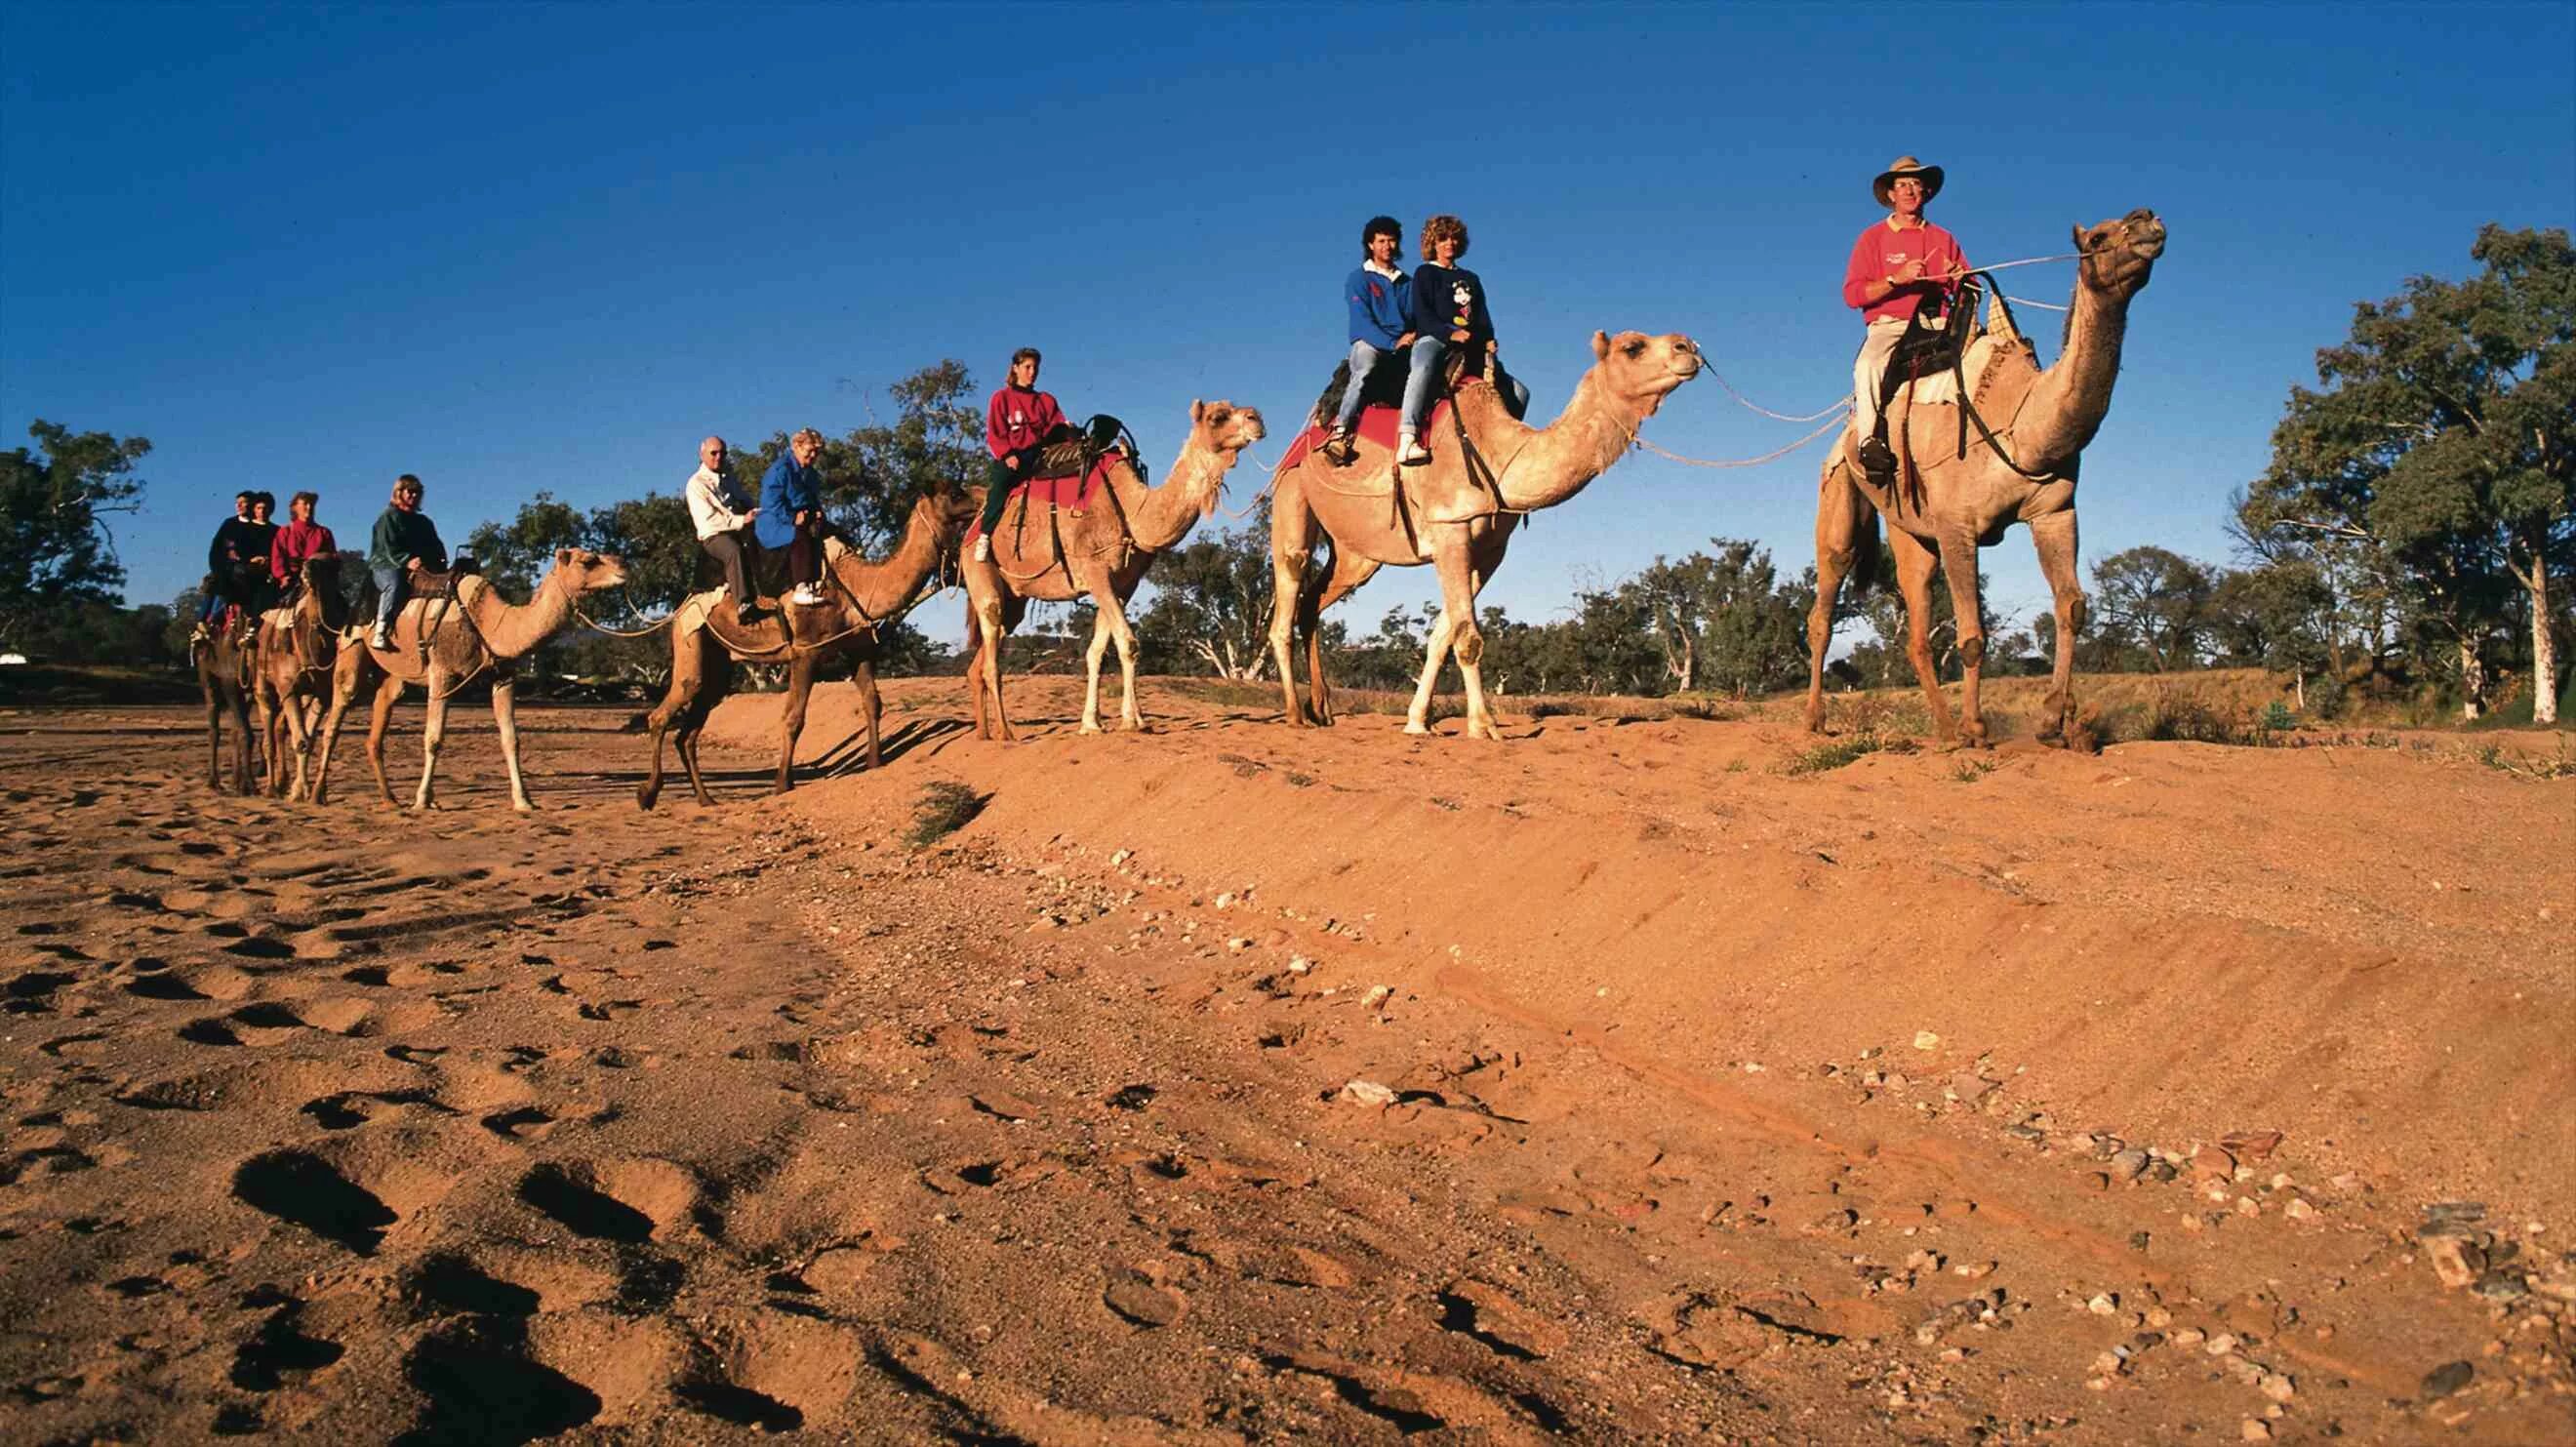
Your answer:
<point x="1439" y="514"/>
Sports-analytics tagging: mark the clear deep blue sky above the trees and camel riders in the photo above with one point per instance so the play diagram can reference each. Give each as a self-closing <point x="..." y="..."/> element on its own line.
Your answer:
<point x="524" y="248"/>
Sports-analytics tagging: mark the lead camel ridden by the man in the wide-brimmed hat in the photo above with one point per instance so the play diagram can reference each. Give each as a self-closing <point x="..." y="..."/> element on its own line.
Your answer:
<point x="1946" y="503"/>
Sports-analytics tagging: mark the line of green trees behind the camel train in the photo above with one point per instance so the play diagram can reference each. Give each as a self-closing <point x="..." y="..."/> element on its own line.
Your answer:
<point x="2412" y="532"/>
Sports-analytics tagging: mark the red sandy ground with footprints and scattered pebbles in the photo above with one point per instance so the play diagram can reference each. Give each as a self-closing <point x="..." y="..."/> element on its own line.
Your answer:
<point x="1725" y="1103"/>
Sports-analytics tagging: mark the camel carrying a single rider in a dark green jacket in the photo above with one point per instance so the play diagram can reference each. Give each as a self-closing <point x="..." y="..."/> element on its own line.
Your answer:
<point x="465" y="637"/>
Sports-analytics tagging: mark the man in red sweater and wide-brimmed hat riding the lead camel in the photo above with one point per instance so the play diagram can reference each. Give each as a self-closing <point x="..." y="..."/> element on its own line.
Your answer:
<point x="1900" y="266"/>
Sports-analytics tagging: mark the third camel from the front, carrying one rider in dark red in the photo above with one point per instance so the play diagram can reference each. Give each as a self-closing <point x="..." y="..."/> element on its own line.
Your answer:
<point x="1099" y="552"/>
